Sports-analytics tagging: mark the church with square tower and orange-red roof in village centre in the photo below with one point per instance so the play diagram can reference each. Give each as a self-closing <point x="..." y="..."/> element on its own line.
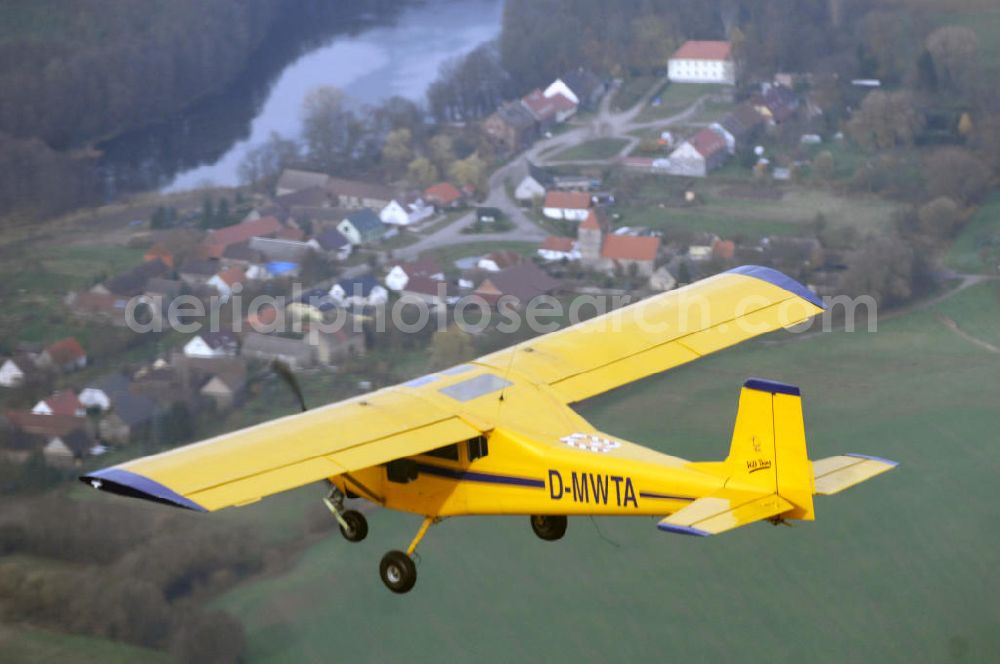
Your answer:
<point x="601" y="250"/>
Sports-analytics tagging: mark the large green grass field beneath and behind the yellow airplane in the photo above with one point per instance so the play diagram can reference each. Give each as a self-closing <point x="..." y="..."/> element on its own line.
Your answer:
<point x="899" y="569"/>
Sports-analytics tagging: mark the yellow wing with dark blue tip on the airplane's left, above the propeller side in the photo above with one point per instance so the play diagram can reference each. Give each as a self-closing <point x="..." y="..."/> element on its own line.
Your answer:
<point x="243" y="466"/>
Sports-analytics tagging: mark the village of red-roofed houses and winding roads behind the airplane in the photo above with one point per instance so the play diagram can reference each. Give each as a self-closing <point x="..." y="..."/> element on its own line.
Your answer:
<point x="556" y="219"/>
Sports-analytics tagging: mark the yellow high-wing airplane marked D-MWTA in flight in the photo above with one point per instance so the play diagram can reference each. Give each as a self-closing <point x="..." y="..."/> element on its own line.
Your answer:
<point x="497" y="435"/>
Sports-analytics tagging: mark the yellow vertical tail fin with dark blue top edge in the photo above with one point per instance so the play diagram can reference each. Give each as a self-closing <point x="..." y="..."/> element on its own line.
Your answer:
<point x="768" y="450"/>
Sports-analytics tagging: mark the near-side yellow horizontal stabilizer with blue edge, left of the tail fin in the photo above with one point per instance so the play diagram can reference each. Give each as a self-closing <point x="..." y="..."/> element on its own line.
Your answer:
<point x="716" y="514"/>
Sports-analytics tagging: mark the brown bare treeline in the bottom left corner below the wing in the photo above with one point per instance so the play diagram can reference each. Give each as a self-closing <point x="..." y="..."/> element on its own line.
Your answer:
<point x="126" y="572"/>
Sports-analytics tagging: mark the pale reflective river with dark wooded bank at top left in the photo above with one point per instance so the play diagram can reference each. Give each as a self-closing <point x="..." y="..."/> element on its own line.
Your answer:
<point x="371" y="57"/>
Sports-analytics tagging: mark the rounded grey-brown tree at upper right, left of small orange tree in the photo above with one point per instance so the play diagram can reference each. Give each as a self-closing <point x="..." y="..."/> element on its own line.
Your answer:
<point x="885" y="120"/>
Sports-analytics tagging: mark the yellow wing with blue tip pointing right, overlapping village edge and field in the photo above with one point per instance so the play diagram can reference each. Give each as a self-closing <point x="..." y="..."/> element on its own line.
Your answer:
<point x="661" y="332"/>
